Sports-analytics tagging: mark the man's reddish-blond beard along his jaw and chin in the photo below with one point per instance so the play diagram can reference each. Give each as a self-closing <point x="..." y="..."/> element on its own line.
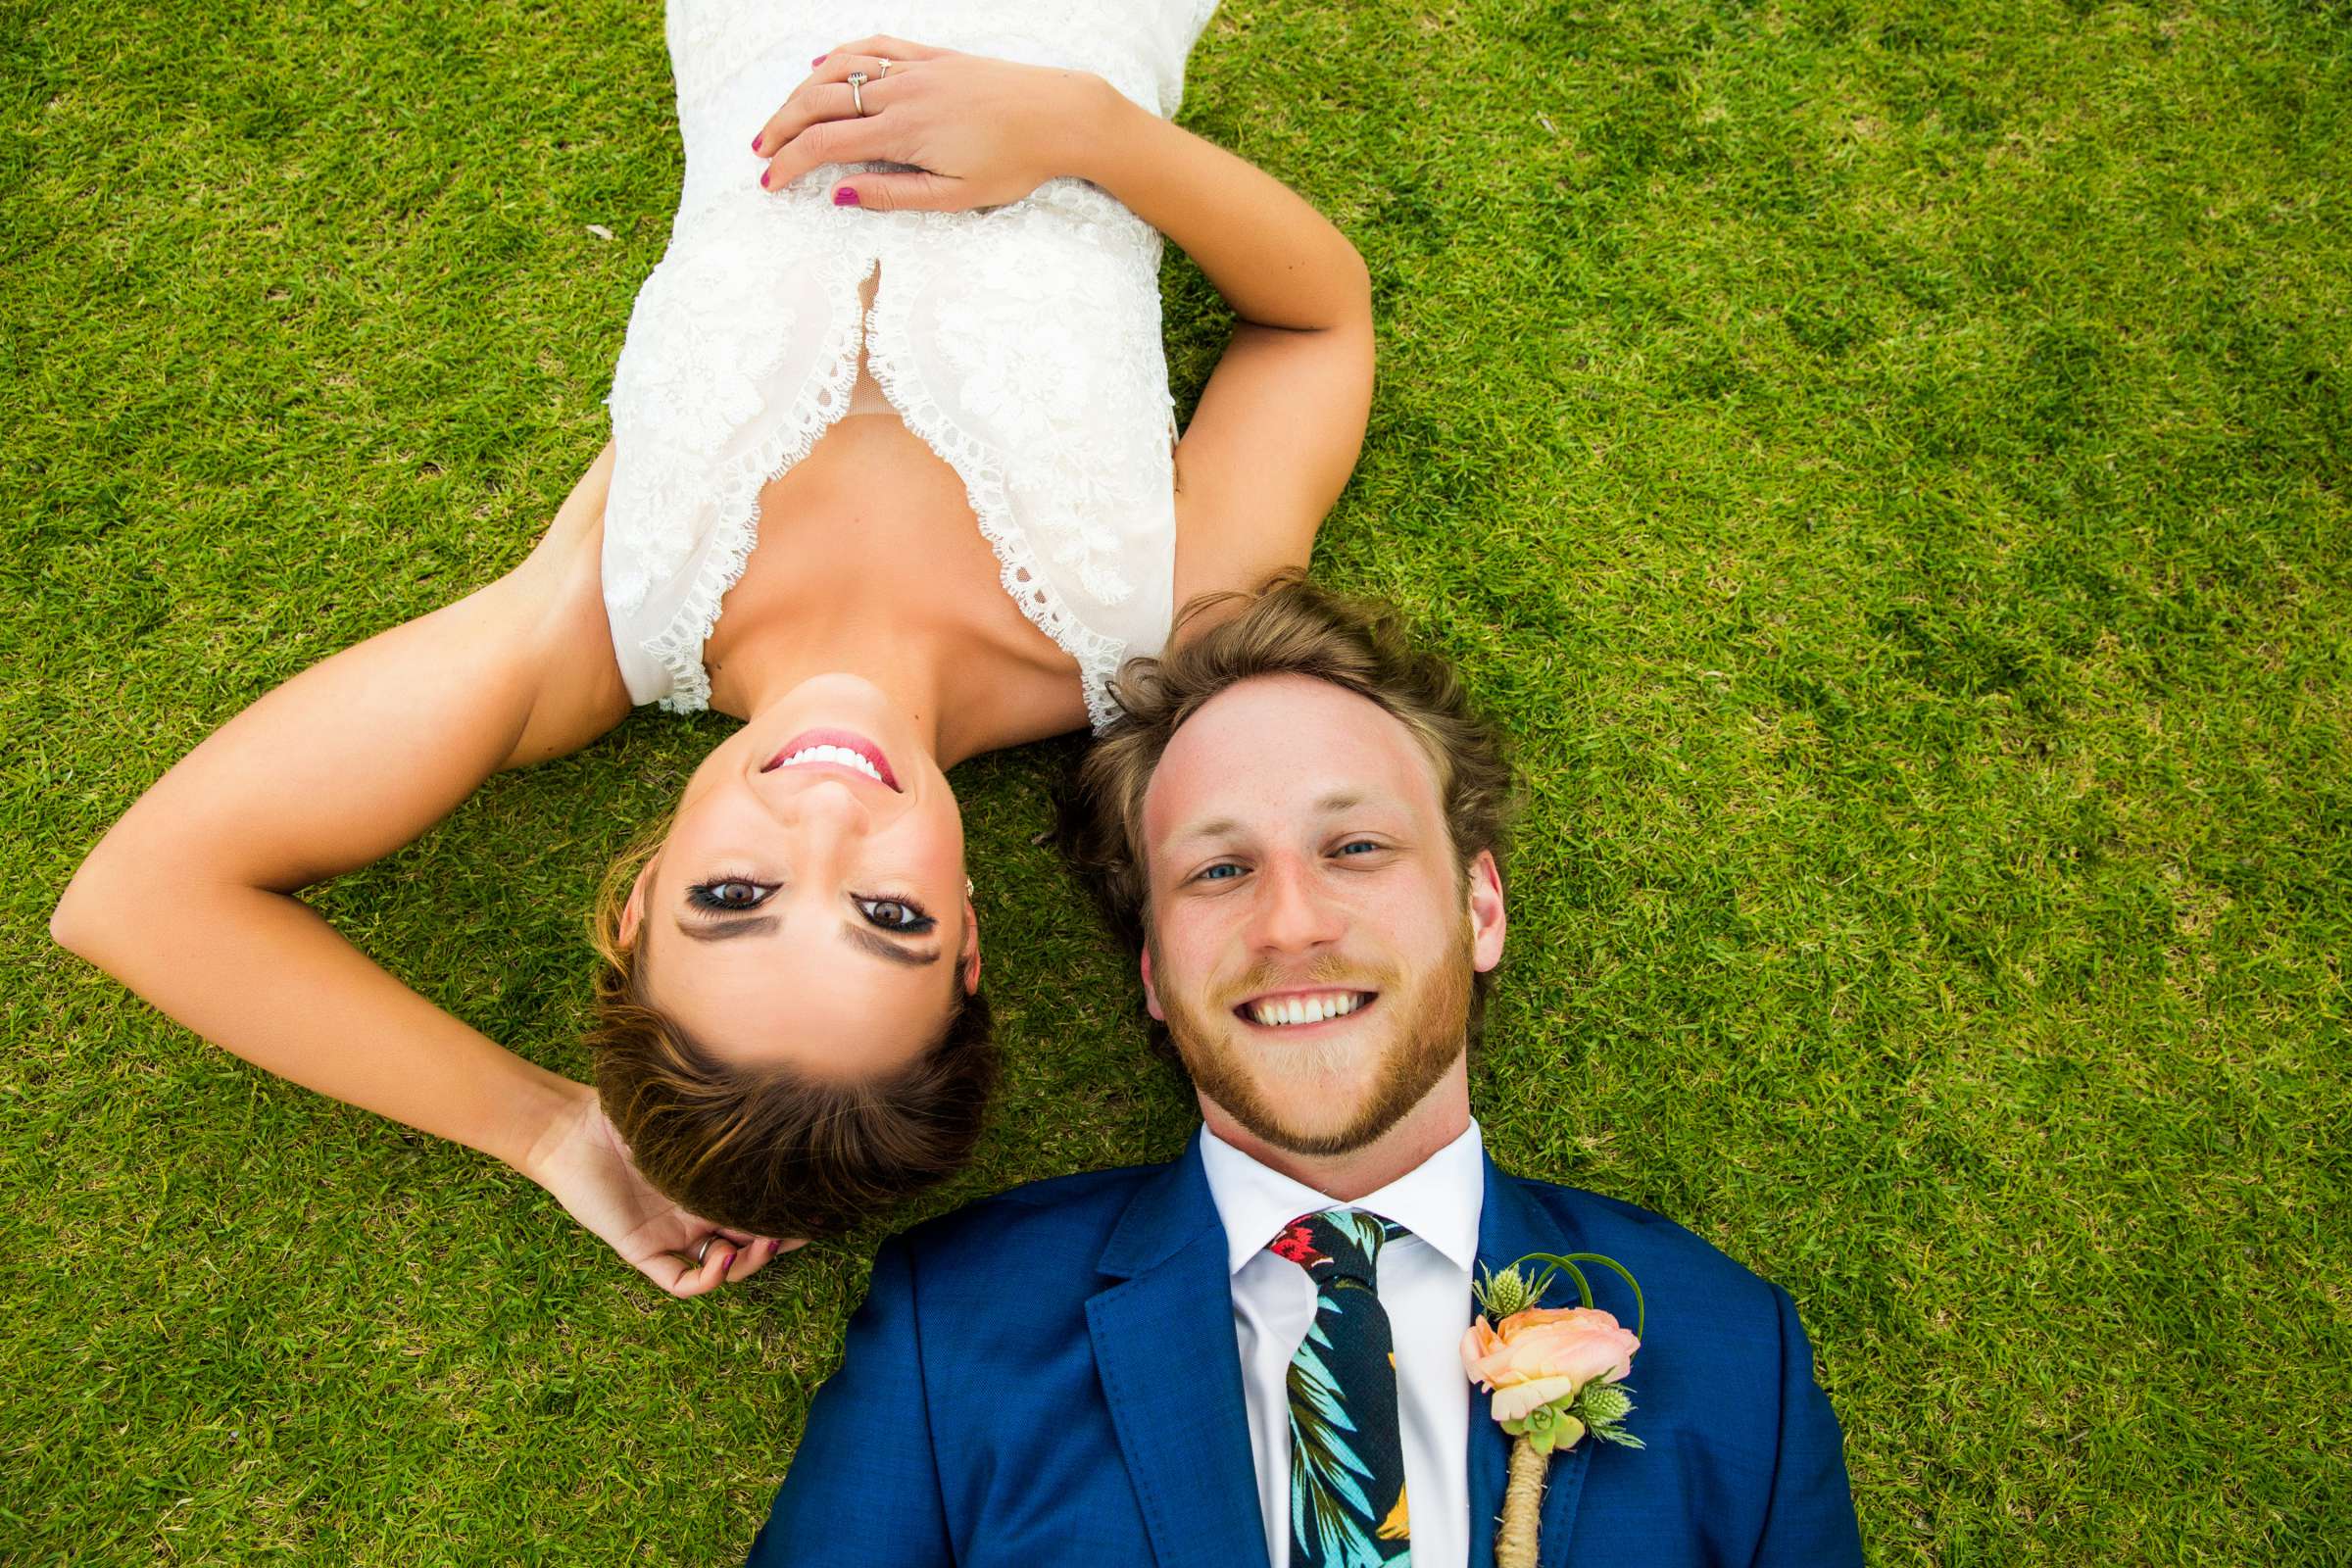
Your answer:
<point x="1384" y="1068"/>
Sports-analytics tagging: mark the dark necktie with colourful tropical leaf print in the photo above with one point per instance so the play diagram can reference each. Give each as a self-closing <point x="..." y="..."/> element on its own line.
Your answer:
<point x="1347" y="1452"/>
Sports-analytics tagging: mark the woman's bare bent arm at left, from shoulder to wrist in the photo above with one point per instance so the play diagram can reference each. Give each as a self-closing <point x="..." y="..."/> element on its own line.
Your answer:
<point x="192" y="902"/>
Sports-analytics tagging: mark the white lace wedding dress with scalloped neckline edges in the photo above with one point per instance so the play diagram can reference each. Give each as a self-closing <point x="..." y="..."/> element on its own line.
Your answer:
<point x="1022" y="342"/>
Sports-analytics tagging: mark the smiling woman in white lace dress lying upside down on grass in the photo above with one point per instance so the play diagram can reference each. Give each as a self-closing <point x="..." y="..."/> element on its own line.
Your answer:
<point x="895" y="403"/>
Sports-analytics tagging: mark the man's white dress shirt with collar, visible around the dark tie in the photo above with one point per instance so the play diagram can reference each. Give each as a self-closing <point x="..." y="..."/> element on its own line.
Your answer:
<point x="1426" y="1294"/>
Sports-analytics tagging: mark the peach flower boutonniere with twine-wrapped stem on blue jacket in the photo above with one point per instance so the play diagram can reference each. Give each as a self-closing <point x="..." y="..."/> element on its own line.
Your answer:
<point x="1553" y="1379"/>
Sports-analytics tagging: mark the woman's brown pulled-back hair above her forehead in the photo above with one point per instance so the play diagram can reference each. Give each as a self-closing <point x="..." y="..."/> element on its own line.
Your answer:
<point x="766" y="1148"/>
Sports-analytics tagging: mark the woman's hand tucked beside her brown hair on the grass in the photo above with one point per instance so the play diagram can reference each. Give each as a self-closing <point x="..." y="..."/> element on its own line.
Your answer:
<point x="592" y="1174"/>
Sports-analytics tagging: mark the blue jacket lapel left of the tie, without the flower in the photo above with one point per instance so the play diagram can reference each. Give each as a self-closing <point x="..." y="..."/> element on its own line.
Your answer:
<point x="1172" y="1374"/>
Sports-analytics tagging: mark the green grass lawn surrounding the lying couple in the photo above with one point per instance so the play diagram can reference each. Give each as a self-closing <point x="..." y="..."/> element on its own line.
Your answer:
<point x="1885" y="460"/>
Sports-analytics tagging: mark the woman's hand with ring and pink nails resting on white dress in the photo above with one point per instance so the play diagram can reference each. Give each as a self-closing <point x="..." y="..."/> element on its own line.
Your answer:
<point x="980" y="130"/>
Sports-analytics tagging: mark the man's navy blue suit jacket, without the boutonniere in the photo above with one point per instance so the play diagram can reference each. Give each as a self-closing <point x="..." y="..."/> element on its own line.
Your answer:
<point x="1053" y="1379"/>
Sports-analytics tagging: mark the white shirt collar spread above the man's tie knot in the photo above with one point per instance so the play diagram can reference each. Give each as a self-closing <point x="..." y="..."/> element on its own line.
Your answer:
<point x="1438" y="1200"/>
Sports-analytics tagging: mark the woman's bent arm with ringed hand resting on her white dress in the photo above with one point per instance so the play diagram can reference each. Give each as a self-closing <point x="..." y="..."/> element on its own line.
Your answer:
<point x="1283" y="417"/>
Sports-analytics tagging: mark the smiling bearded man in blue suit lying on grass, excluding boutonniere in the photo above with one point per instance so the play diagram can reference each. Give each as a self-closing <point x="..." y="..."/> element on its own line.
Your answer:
<point x="1252" y="1355"/>
